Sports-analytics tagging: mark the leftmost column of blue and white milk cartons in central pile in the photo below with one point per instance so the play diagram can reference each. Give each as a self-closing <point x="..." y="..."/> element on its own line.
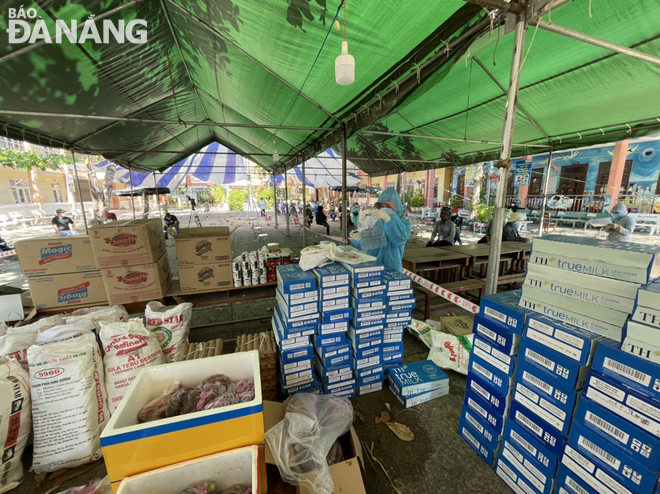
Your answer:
<point x="295" y="319"/>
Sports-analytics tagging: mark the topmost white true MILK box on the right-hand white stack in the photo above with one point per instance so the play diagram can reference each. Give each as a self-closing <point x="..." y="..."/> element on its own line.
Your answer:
<point x="623" y="259"/>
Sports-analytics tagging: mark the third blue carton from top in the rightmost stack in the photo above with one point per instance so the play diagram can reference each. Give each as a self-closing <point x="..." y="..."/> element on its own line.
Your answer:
<point x="635" y="441"/>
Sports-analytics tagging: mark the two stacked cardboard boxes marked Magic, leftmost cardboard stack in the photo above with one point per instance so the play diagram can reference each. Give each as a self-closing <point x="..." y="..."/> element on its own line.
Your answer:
<point x="61" y="272"/>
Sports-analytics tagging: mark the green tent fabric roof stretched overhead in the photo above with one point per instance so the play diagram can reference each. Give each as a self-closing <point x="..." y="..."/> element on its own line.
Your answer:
<point x="271" y="62"/>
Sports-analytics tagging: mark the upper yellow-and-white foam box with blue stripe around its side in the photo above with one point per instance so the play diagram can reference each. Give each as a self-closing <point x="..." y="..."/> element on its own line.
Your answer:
<point x="130" y="448"/>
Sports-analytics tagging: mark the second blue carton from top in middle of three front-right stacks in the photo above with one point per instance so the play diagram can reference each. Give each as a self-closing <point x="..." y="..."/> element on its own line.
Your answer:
<point x="570" y="376"/>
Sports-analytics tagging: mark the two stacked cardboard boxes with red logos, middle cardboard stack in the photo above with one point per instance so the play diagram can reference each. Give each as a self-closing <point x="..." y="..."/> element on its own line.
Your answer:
<point x="132" y="259"/>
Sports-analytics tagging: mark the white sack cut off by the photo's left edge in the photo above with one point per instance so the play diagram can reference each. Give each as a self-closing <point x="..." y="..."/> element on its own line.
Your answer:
<point x="15" y="421"/>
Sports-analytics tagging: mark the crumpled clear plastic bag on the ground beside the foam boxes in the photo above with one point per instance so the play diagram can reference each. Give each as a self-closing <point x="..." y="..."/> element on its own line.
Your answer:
<point x="301" y="442"/>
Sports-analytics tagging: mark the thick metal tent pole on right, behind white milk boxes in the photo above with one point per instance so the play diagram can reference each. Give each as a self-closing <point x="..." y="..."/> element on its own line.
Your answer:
<point x="505" y="156"/>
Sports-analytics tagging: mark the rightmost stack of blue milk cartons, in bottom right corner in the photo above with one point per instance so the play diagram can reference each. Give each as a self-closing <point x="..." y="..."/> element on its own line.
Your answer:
<point x="614" y="444"/>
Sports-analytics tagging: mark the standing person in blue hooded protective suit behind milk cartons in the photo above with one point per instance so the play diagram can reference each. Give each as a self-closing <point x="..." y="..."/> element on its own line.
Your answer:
<point x="397" y="229"/>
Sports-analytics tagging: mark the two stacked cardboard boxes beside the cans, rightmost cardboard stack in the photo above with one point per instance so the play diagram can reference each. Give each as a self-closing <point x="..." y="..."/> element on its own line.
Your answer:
<point x="204" y="258"/>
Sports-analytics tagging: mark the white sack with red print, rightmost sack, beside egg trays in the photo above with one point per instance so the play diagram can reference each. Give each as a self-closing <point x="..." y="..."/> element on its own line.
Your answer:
<point x="171" y="325"/>
